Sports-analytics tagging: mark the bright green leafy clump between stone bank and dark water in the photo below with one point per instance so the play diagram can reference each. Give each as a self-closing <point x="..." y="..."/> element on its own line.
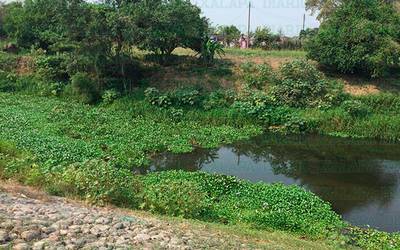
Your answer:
<point x="233" y="201"/>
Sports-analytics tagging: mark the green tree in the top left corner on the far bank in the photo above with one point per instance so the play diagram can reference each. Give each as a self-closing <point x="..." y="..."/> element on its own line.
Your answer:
<point x="44" y="23"/>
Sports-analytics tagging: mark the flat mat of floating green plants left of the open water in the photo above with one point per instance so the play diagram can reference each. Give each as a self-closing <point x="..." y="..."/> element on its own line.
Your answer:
<point x="127" y="132"/>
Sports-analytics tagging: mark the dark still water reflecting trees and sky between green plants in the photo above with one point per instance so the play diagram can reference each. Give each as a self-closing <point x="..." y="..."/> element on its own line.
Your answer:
<point x="360" y="178"/>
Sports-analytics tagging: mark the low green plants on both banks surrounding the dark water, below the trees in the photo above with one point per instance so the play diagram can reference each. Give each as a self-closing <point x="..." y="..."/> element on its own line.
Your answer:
<point x="51" y="140"/>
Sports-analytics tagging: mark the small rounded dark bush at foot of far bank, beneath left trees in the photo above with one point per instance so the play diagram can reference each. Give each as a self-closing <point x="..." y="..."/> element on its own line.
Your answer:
<point x="84" y="88"/>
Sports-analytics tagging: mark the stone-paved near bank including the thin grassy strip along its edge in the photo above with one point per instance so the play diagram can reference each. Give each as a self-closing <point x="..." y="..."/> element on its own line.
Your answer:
<point x="30" y="218"/>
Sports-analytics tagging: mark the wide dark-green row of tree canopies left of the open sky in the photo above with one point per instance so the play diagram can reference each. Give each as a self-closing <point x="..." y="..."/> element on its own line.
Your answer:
<point x="97" y="38"/>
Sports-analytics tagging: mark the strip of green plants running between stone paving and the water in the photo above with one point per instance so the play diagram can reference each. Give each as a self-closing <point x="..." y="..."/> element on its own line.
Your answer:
<point x="201" y="196"/>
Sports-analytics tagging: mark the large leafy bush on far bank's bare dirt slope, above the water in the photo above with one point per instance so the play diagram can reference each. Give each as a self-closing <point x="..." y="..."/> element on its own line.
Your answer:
<point x="300" y="84"/>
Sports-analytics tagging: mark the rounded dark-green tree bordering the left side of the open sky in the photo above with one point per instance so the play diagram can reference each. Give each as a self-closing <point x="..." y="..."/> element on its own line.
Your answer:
<point x="163" y="25"/>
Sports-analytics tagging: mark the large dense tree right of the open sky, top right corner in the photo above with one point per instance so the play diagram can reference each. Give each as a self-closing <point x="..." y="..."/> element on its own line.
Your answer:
<point x="360" y="36"/>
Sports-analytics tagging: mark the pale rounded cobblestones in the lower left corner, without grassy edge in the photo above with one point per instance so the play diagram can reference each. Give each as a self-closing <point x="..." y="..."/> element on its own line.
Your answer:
<point x="34" y="221"/>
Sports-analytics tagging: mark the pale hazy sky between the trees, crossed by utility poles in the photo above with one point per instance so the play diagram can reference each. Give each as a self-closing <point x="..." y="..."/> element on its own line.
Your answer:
<point x="286" y="15"/>
